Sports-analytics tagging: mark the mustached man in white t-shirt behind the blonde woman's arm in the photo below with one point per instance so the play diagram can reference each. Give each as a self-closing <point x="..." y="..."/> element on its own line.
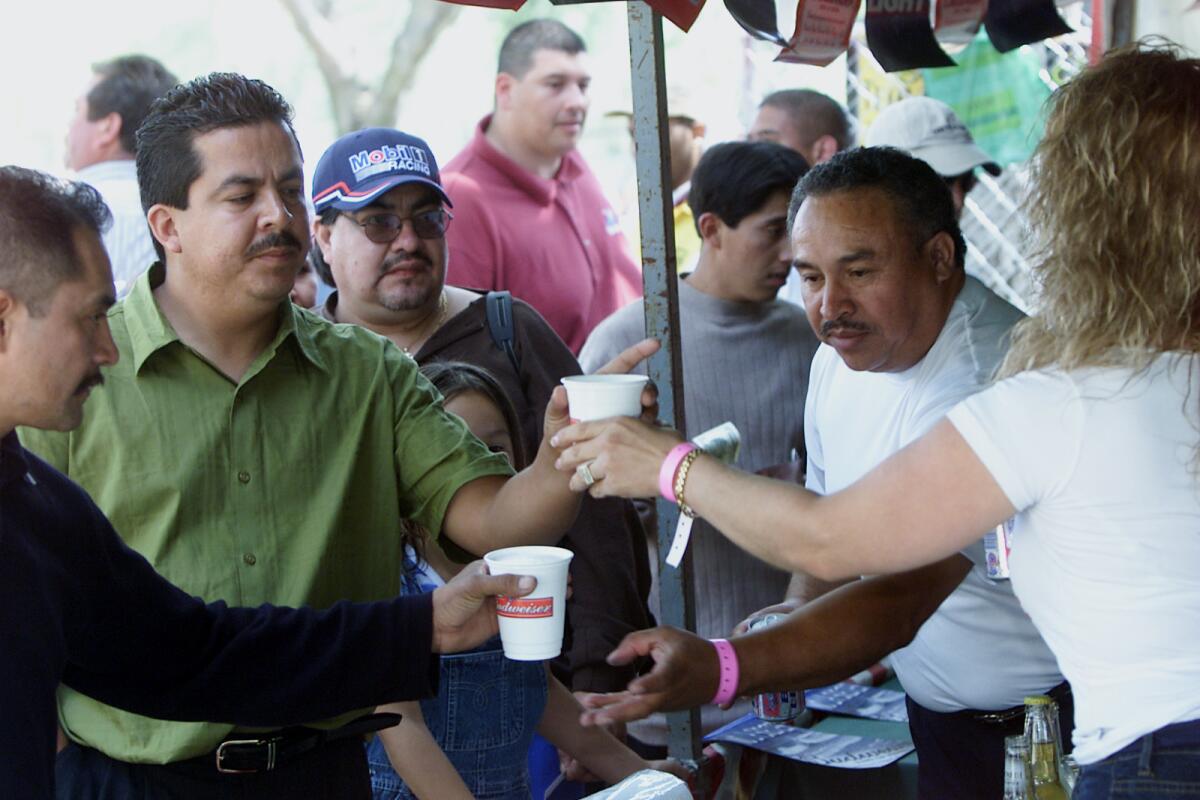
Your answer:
<point x="905" y="336"/>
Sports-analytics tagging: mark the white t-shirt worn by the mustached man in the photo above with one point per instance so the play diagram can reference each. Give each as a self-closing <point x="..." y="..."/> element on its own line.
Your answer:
<point x="979" y="651"/>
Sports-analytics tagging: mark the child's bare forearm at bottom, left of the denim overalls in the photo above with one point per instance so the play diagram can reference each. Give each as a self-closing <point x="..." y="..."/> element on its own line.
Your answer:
<point x="417" y="757"/>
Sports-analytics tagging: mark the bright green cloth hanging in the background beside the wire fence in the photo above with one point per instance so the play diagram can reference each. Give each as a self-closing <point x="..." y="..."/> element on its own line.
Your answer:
<point x="999" y="97"/>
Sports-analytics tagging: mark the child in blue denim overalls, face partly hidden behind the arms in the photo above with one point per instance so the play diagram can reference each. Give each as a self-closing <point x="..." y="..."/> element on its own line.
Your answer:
<point x="473" y="739"/>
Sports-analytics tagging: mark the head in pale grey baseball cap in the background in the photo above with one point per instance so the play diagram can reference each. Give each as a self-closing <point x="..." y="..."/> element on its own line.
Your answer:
<point x="931" y="130"/>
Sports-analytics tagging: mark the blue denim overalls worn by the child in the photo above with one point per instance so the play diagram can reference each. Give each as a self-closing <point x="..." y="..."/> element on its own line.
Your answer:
<point x="484" y="719"/>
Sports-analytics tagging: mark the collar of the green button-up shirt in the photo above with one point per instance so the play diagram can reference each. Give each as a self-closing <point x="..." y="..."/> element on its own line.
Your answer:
<point x="152" y="332"/>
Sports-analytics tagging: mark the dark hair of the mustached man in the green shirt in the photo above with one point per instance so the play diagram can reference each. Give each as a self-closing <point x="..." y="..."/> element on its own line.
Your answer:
<point x="167" y="163"/>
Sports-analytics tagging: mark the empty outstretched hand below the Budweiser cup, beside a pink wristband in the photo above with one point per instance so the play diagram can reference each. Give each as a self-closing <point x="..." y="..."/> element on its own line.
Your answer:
<point x="686" y="675"/>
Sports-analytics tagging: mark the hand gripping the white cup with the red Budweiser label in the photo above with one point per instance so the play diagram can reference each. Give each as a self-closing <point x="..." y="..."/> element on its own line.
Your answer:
<point x="465" y="609"/>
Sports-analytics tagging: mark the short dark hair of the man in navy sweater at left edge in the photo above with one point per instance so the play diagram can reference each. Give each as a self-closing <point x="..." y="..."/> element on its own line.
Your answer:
<point x="38" y="218"/>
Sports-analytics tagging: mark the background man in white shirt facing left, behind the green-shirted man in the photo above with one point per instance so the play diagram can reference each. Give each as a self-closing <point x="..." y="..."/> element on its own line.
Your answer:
<point x="100" y="149"/>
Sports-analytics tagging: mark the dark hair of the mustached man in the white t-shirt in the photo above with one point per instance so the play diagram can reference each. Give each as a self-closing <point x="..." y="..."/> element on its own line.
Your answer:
<point x="919" y="194"/>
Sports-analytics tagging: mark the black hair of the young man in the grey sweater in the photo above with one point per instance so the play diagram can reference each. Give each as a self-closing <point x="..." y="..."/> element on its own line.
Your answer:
<point x="736" y="179"/>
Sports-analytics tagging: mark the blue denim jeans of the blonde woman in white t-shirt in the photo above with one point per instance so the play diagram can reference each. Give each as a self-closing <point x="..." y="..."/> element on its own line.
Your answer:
<point x="1160" y="766"/>
